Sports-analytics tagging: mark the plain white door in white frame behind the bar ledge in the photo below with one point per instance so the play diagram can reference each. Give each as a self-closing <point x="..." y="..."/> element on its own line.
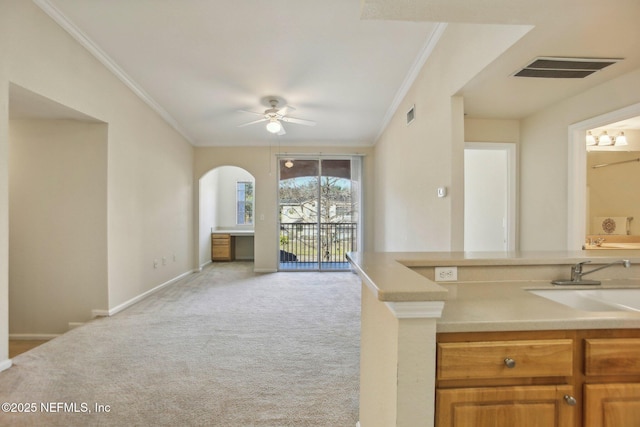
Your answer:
<point x="489" y="207"/>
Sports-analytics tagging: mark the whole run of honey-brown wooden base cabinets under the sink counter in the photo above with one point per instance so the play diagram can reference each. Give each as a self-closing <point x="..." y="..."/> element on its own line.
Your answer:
<point x="588" y="378"/>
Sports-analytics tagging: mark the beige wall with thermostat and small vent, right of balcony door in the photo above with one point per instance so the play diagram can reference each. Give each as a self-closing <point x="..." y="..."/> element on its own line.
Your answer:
<point x="412" y="161"/>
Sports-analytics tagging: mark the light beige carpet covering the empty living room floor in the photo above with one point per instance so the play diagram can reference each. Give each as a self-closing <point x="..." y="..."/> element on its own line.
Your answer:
<point x="224" y="347"/>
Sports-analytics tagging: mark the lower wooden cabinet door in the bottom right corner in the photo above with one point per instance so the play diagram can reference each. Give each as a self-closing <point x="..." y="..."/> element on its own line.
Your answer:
<point x="612" y="405"/>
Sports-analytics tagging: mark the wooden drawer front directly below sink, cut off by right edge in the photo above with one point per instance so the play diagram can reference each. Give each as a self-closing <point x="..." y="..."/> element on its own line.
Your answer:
<point x="612" y="356"/>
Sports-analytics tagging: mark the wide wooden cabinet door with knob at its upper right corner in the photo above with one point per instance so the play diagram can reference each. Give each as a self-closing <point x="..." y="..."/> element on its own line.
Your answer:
<point x="526" y="406"/>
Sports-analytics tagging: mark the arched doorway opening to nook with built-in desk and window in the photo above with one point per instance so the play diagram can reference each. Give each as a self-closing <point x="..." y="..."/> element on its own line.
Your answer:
<point x="226" y="207"/>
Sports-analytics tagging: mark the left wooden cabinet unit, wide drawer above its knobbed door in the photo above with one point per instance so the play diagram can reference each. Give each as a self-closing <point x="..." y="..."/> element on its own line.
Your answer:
<point x="484" y="381"/>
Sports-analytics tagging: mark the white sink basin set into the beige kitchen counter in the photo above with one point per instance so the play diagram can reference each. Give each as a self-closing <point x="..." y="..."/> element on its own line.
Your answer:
<point x="594" y="299"/>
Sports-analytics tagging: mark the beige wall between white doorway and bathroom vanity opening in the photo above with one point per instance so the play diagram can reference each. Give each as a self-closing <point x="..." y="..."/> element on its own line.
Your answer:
<point x="544" y="157"/>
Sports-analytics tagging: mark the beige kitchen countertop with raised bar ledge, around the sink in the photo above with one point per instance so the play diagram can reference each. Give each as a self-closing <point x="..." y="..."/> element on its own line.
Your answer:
<point x="490" y="306"/>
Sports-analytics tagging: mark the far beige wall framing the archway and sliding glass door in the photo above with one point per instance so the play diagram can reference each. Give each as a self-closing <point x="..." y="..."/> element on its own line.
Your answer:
<point x="261" y="162"/>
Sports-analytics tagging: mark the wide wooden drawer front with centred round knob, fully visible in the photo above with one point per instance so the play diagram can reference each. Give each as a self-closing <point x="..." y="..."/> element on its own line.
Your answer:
<point x="505" y="359"/>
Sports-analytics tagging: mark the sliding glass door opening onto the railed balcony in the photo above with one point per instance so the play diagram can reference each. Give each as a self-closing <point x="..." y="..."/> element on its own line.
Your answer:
<point x="319" y="202"/>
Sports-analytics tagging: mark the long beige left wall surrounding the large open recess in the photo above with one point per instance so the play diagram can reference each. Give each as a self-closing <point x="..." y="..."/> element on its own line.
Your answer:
<point x="150" y="175"/>
